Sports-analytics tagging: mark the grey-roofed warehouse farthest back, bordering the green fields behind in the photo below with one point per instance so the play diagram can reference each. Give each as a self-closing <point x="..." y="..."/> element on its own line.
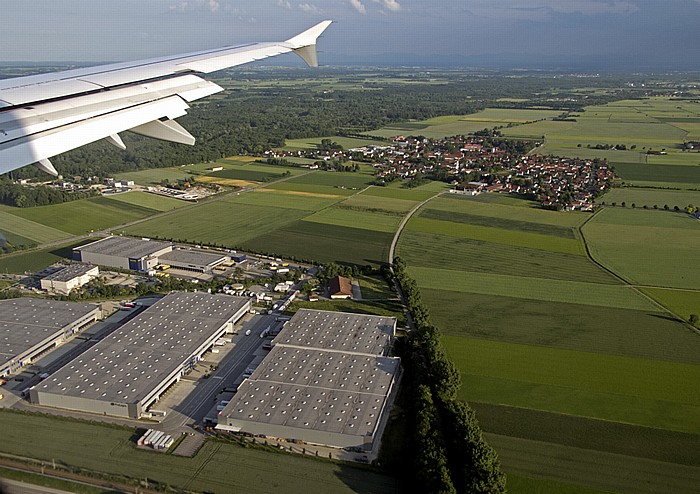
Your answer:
<point x="122" y="252"/>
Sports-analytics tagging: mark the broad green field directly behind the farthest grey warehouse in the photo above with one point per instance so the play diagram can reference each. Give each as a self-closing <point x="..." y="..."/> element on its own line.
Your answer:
<point x="226" y="222"/>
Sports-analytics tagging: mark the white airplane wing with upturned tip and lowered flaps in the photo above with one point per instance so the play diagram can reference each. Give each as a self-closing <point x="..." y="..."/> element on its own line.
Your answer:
<point x="48" y="114"/>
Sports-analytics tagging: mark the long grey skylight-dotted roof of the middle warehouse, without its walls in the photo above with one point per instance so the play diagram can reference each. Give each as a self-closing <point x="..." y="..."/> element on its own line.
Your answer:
<point x="137" y="357"/>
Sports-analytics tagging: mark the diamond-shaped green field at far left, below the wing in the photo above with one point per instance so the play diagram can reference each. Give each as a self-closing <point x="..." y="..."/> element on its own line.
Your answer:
<point x="85" y="215"/>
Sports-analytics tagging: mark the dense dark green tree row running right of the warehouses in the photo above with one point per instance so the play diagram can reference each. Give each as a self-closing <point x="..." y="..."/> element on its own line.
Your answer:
<point x="448" y="449"/>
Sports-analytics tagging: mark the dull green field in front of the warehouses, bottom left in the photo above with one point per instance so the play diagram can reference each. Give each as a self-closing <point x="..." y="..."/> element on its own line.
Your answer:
<point x="110" y="450"/>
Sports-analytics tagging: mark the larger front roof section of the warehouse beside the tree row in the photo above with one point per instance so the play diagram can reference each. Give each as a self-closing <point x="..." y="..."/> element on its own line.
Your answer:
<point x="317" y="390"/>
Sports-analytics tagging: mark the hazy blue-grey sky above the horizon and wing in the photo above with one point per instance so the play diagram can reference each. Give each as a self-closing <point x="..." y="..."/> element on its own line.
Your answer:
<point x="522" y="33"/>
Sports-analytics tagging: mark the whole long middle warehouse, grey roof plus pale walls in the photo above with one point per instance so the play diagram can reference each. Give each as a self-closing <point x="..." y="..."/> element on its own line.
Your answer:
<point x="128" y="371"/>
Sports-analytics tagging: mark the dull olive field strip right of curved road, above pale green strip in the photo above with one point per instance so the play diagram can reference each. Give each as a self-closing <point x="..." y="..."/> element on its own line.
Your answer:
<point x="463" y="254"/>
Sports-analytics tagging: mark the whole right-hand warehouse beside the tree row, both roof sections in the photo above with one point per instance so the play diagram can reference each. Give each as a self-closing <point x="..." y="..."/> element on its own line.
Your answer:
<point x="327" y="381"/>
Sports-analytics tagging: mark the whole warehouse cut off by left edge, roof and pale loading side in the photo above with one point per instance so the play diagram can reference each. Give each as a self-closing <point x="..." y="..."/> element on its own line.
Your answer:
<point x="31" y="327"/>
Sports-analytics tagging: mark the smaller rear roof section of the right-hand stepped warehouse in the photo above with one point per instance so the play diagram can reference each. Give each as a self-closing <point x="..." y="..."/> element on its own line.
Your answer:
<point x="338" y="331"/>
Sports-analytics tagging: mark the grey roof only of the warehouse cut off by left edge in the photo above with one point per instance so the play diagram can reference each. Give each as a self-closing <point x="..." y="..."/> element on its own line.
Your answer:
<point x="26" y="322"/>
